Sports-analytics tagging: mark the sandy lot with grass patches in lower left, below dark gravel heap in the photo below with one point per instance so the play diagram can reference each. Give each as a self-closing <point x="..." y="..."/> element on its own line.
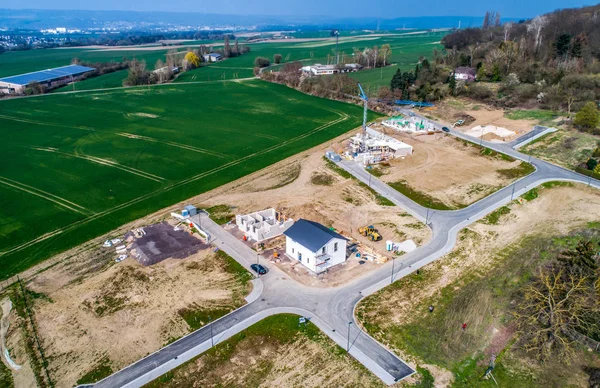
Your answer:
<point x="138" y="305"/>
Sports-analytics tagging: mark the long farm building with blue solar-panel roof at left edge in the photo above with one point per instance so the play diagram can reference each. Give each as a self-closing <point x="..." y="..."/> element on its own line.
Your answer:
<point x="50" y="78"/>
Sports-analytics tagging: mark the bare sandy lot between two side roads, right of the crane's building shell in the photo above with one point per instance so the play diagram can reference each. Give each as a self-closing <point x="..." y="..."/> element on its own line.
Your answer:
<point x="432" y="168"/>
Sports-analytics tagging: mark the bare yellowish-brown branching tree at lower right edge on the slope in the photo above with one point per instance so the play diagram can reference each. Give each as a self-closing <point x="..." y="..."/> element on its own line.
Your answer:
<point x="555" y="303"/>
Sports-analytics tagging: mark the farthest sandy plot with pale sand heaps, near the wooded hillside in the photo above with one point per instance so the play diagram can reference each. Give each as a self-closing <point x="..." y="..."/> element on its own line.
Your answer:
<point x="484" y="115"/>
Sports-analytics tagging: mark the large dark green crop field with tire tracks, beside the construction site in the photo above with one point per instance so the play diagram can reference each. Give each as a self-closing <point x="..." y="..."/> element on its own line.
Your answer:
<point x="81" y="164"/>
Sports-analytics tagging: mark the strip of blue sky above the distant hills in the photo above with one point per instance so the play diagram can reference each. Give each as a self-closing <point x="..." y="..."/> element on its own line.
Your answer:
<point x="339" y="8"/>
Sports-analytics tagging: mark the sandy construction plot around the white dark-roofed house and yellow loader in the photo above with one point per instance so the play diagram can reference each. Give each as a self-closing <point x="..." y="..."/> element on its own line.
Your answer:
<point x="343" y="205"/>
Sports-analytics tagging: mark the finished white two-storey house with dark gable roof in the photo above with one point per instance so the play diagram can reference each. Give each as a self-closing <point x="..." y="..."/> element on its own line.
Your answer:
<point x="314" y="246"/>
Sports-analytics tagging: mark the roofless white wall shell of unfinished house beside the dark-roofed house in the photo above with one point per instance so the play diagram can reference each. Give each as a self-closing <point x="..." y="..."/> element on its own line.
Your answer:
<point x="263" y="225"/>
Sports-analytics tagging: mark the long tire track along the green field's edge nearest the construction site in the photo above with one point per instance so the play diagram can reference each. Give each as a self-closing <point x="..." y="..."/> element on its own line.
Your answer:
<point x="343" y="117"/>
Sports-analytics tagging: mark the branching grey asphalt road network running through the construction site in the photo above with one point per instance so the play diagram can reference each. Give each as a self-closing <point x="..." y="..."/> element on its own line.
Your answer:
<point x="332" y="309"/>
